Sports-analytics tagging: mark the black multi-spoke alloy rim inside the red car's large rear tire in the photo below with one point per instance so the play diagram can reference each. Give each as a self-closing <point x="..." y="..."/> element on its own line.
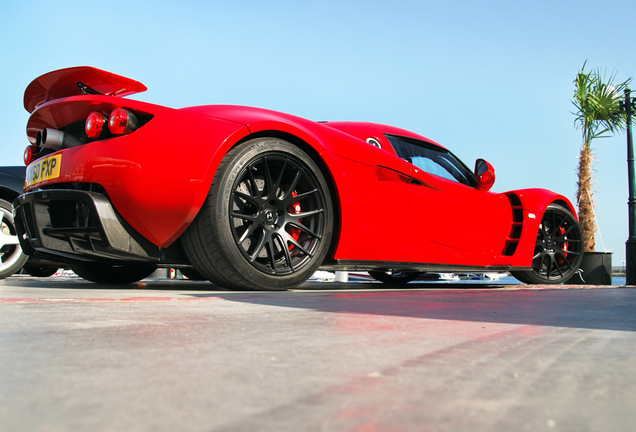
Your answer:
<point x="277" y="213"/>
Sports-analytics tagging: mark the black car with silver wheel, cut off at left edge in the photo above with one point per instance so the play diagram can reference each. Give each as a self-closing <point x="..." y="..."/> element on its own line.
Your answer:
<point x="12" y="259"/>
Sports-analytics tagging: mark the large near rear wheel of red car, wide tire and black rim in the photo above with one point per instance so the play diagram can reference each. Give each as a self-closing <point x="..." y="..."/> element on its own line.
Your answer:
<point x="267" y="221"/>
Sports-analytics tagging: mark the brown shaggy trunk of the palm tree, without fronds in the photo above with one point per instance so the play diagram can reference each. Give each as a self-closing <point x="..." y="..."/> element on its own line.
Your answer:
<point x="584" y="199"/>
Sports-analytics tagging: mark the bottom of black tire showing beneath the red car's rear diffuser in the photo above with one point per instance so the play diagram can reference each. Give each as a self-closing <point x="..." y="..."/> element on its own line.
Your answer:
<point x="113" y="274"/>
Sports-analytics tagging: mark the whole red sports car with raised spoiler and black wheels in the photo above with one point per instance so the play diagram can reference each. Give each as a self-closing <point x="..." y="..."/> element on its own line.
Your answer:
<point x="255" y="199"/>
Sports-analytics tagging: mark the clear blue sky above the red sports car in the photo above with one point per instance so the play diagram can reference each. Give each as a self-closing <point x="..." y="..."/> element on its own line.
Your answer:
<point x="489" y="79"/>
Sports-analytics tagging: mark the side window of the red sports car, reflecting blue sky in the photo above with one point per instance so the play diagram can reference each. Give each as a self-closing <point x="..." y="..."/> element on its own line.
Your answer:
<point x="432" y="159"/>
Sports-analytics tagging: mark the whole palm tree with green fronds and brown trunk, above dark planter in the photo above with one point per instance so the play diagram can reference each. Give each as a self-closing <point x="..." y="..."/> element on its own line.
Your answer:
<point x="599" y="113"/>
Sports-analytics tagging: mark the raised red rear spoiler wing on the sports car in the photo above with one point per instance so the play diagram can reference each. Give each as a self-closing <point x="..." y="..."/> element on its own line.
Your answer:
<point x="78" y="81"/>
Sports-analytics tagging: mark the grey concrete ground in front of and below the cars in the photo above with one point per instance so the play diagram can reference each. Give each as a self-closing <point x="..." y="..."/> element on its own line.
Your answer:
<point x="166" y="355"/>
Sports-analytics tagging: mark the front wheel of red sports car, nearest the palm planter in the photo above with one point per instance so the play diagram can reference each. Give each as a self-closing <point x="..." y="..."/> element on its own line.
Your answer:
<point x="558" y="251"/>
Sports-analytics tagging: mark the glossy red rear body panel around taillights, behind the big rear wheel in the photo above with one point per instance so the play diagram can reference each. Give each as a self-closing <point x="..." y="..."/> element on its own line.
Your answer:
<point x="135" y="168"/>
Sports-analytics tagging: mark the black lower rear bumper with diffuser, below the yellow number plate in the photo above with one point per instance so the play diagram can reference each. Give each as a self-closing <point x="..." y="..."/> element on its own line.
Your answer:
<point x="74" y="225"/>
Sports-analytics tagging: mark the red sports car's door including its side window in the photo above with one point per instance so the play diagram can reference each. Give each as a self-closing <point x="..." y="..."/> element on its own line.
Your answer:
<point x="453" y="222"/>
